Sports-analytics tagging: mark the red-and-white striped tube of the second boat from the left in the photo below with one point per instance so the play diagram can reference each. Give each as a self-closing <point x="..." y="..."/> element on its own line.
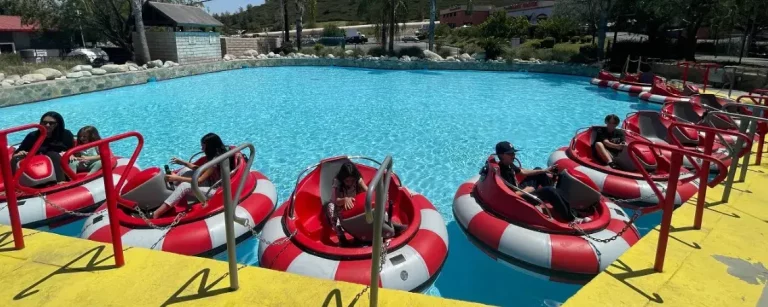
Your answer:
<point x="204" y="237"/>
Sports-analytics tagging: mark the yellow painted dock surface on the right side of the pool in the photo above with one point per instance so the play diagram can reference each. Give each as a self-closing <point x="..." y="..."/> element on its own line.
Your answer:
<point x="723" y="264"/>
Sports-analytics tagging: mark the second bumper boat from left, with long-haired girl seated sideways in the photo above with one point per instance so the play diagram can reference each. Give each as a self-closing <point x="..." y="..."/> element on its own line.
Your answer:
<point x="188" y="228"/>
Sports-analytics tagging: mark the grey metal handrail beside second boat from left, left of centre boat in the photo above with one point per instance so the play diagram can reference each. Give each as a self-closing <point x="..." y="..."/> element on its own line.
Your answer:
<point x="229" y="209"/>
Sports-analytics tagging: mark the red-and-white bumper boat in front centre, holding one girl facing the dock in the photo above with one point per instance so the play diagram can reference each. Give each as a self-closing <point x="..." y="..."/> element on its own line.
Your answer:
<point x="305" y="243"/>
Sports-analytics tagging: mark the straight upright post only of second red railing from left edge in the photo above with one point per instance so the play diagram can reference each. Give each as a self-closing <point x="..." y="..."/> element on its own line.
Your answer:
<point x="109" y="188"/>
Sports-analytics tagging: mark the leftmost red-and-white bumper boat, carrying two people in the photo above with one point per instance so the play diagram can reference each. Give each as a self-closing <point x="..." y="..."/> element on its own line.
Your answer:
<point x="42" y="202"/>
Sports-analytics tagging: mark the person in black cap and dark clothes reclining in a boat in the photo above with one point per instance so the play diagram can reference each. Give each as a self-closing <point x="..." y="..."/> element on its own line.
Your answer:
<point x="537" y="182"/>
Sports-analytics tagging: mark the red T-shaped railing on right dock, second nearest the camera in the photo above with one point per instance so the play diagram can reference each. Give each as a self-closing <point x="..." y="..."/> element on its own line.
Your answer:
<point x="703" y="170"/>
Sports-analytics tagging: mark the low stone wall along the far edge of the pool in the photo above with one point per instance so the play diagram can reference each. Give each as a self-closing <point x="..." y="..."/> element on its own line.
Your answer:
<point x="60" y="88"/>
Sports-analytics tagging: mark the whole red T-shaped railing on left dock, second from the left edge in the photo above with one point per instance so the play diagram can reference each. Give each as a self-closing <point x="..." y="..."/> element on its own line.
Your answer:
<point x="105" y="155"/>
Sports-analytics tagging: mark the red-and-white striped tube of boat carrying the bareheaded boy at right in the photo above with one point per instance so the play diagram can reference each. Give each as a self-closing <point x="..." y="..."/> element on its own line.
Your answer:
<point x="622" y="187"/>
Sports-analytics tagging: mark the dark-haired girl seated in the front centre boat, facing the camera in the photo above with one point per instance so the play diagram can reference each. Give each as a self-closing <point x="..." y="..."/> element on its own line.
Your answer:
<point x="346" y="186"/>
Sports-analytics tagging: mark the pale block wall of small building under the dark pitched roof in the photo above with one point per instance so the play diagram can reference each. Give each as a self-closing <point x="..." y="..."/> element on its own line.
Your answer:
<point x="198" y="47"/>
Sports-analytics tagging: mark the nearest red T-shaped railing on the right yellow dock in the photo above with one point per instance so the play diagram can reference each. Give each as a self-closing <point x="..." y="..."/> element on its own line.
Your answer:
<point x="668" y="200"/>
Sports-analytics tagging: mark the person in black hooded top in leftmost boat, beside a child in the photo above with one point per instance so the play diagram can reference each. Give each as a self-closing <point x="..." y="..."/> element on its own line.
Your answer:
<point x="57" y="141"/>
